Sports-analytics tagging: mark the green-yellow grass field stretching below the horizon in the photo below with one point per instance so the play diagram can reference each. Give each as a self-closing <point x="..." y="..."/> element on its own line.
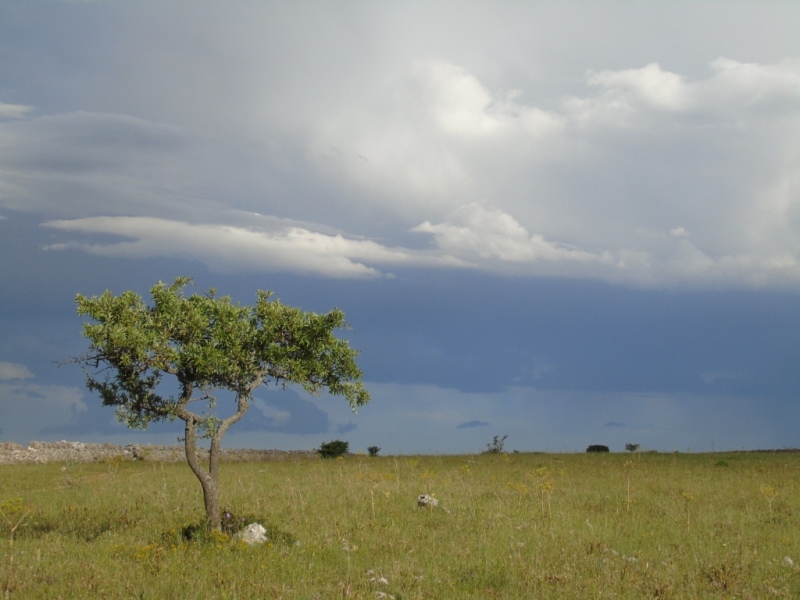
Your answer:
<point x="509" y="526"/>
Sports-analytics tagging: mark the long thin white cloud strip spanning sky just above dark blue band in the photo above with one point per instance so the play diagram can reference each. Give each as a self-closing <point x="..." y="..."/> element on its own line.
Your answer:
<point x="473" y="236"/>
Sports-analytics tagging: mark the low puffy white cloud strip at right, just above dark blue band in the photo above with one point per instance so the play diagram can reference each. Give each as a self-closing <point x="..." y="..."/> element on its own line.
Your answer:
<point x="491" y="239"/>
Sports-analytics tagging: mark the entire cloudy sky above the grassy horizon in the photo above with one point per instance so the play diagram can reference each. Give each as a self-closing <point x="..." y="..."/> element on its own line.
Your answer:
<point x="570" y="223"/>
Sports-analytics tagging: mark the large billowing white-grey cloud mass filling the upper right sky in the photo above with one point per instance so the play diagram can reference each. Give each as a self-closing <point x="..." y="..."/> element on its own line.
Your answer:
<point x="643" y="149"/>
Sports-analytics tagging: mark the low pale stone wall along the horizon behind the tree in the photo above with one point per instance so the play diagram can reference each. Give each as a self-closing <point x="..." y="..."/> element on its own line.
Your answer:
<point x="45" y="452"/>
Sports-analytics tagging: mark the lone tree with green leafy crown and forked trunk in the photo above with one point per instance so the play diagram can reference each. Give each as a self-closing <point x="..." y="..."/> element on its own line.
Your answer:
<point x="208" y="344"/>
